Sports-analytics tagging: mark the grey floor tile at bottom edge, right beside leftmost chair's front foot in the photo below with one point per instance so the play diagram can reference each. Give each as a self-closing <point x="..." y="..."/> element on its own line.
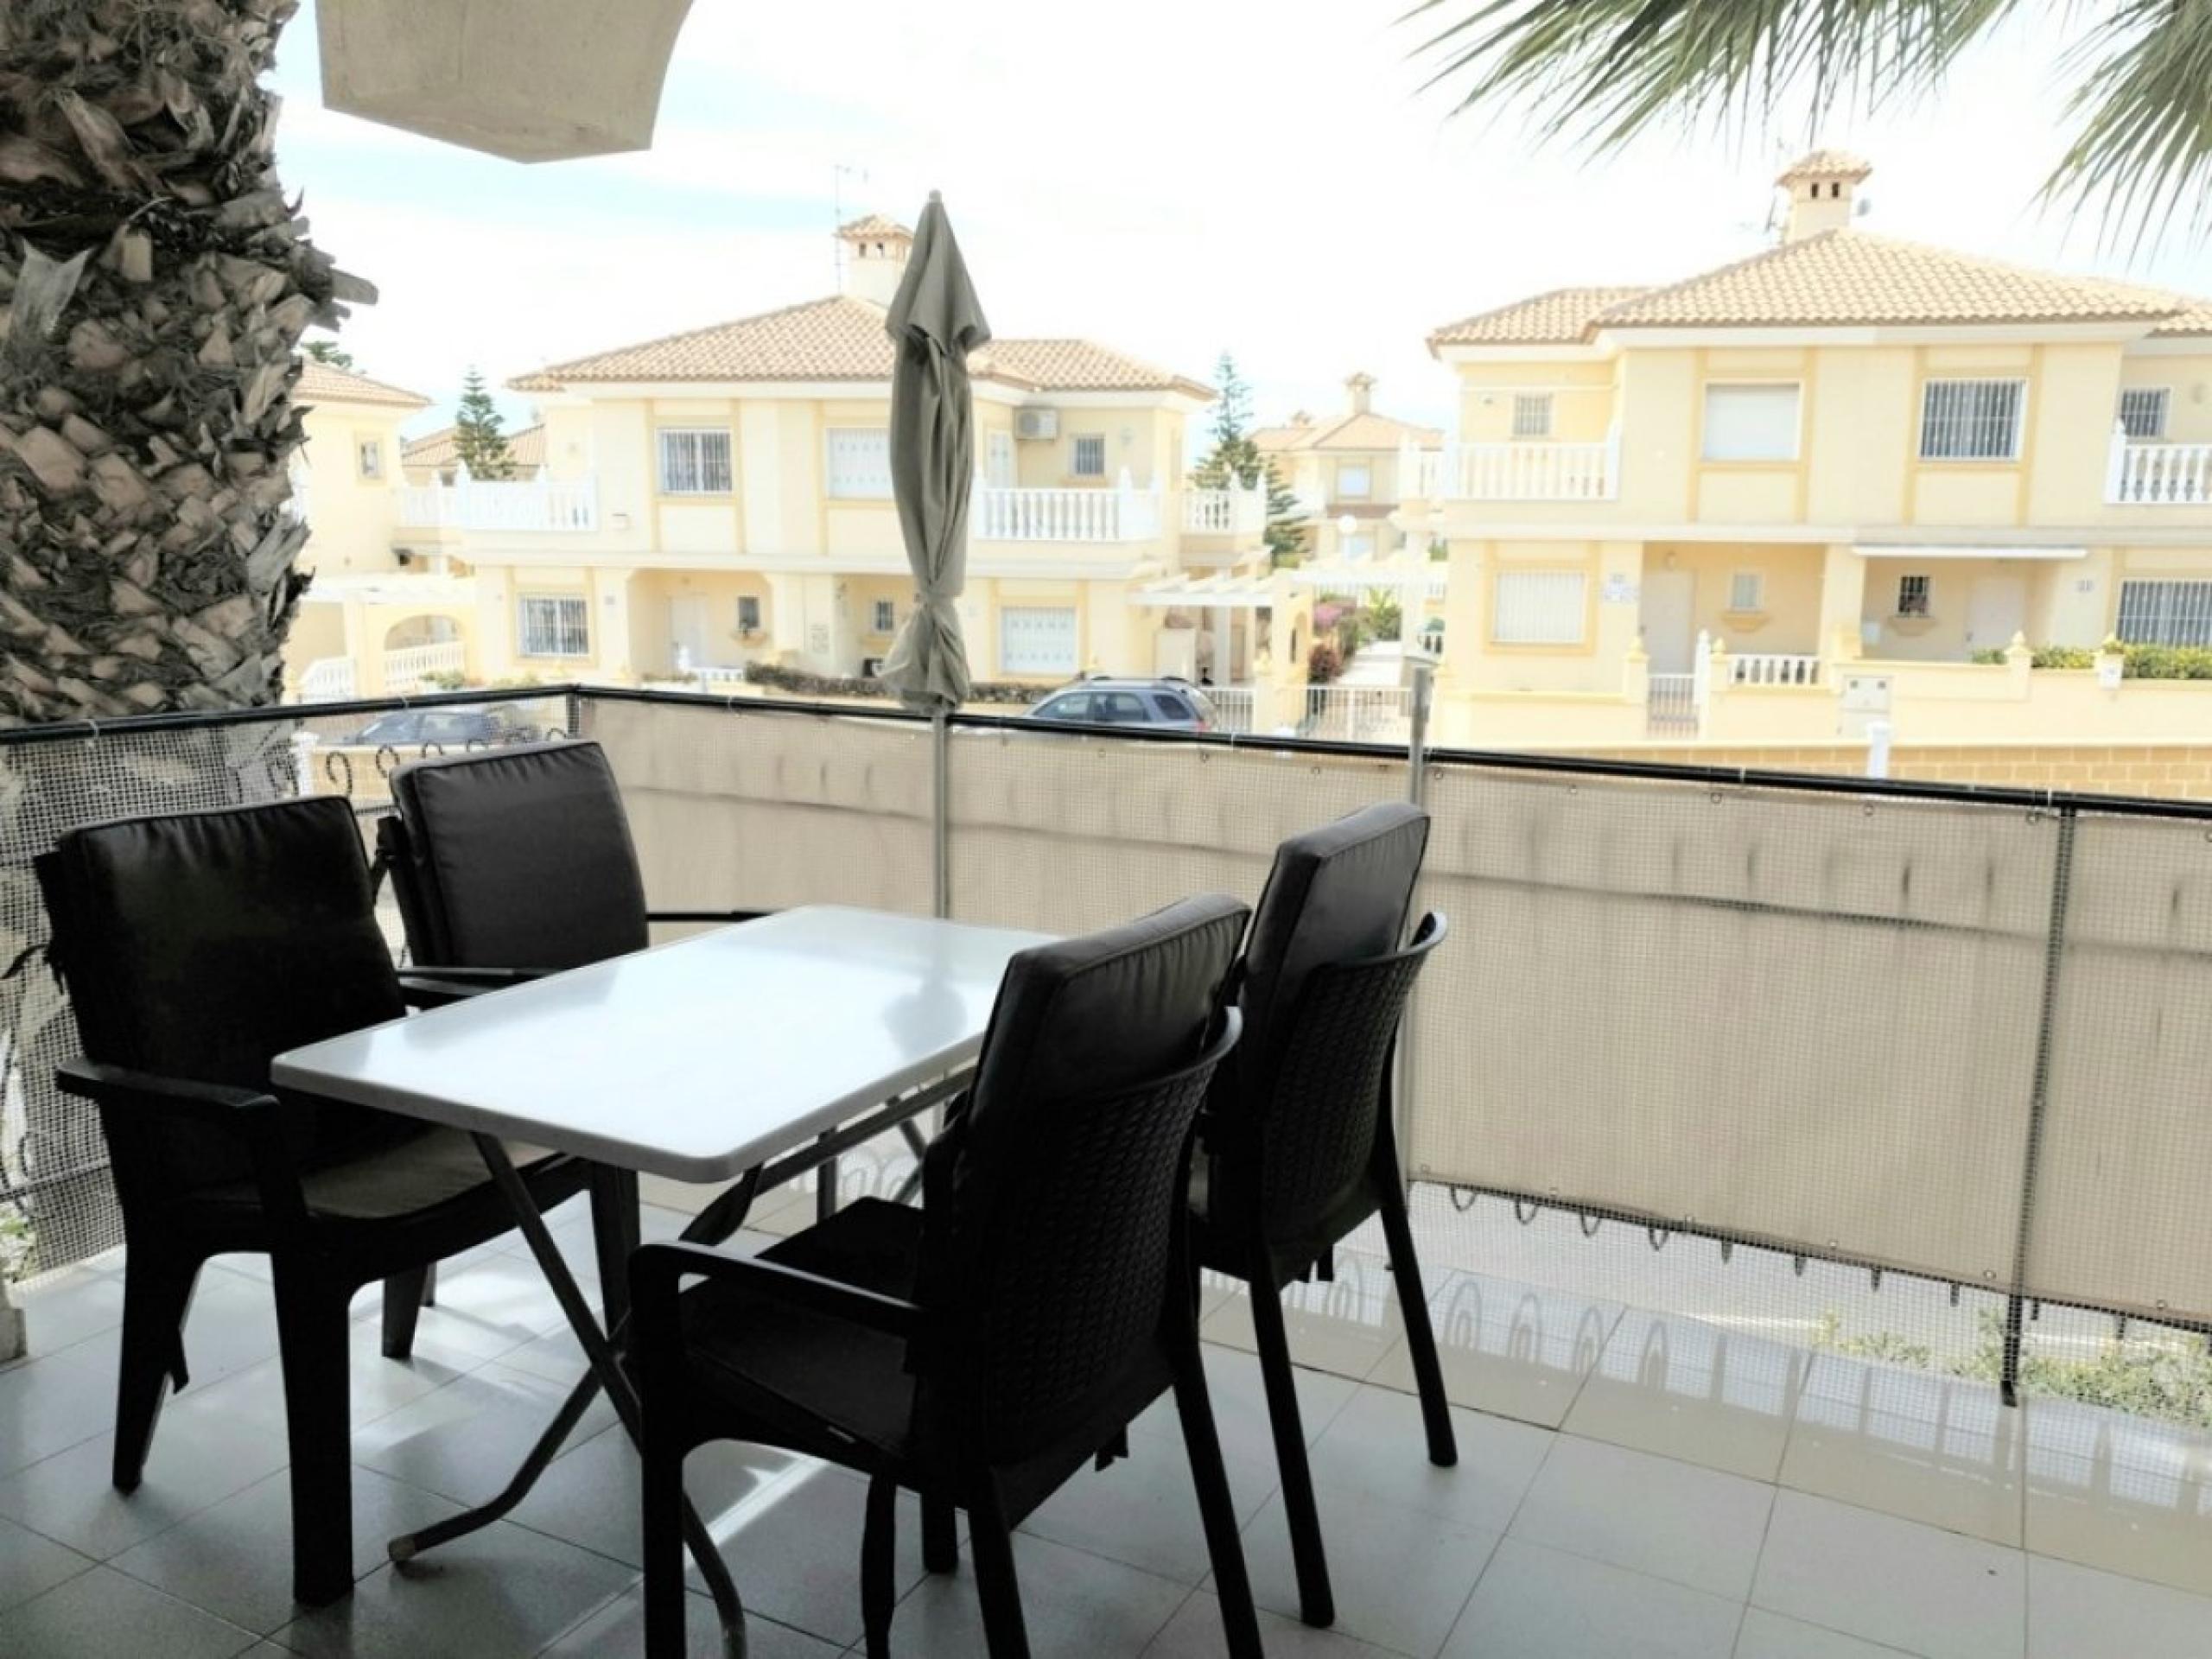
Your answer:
<point x="501" y="1594"/>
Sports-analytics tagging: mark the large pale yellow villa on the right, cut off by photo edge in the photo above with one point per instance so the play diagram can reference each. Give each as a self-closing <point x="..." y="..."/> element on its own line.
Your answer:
<point x="1802" y="494"/>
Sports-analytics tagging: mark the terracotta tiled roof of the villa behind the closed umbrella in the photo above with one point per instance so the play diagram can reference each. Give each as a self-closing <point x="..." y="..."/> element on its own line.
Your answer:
<point x="842" y="340"/>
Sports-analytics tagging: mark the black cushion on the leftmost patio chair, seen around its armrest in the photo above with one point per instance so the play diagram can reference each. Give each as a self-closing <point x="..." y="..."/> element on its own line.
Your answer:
<point x="202" y="946"/>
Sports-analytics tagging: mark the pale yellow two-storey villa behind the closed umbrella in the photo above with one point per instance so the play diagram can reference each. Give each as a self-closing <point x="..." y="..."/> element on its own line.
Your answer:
<point x="724" y="499"/>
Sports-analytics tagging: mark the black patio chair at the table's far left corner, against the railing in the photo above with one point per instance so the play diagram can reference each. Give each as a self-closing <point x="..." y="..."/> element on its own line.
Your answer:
<point x="510" y="866"/>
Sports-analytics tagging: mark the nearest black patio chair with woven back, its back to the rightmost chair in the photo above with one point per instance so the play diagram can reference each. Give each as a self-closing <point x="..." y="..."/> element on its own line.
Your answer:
<point x="988" y="1346"/>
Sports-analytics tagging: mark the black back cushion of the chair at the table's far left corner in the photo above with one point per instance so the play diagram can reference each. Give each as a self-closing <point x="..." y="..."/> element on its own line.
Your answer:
<point x="519" y="859"/>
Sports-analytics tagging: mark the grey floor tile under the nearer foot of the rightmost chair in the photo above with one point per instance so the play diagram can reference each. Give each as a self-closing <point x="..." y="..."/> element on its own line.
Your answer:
<point x="1399" y="1574"/>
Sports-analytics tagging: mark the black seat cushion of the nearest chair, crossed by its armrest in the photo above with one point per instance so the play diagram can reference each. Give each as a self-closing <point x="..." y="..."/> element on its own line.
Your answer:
<point x="793" y="1370"/>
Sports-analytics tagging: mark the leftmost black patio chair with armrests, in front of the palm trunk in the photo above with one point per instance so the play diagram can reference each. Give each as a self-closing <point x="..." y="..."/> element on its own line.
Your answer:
<point x="196" y="948"/>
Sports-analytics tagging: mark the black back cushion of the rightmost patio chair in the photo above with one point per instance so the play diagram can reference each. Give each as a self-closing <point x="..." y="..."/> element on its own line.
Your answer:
<point x="1335" y="895"/>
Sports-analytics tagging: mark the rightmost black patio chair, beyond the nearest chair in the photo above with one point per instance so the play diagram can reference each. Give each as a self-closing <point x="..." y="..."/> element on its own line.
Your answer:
<point x="1297" y="1145"/>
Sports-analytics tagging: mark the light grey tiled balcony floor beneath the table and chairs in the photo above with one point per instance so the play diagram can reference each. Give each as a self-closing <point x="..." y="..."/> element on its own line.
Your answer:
<point x="1627" y="1485"/>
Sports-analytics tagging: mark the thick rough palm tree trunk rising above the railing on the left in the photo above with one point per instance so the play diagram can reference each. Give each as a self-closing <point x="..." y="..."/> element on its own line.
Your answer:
<point x="156" y="286"/>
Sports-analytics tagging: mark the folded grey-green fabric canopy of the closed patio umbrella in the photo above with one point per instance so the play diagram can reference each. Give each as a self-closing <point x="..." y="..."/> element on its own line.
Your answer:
<point x="935" y="324"/>
